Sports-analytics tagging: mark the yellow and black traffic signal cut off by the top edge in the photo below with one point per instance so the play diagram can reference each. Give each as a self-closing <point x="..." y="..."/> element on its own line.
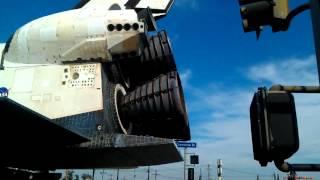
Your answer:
<point x="258" y="13"/>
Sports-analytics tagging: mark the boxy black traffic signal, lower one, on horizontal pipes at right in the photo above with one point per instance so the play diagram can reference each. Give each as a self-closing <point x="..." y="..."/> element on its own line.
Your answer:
<point x="274" y="126"/>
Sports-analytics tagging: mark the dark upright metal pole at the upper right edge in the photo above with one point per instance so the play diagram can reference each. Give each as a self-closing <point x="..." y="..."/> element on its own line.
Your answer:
<point x="315" y="17"/>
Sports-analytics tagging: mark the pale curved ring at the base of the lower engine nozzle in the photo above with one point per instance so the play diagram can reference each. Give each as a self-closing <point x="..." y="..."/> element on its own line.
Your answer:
<point x="114" y="93"/>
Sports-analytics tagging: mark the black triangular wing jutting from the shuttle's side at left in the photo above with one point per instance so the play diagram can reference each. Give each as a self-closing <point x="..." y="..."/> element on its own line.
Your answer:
<point x="23" y="128"/>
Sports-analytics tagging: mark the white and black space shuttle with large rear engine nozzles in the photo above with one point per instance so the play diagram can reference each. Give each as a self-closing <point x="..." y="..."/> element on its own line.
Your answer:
<point x="92" y="87"/>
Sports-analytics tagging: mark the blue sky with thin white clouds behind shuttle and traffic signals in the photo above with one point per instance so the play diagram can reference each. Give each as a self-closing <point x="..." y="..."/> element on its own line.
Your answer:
<point x="221" y="67"/>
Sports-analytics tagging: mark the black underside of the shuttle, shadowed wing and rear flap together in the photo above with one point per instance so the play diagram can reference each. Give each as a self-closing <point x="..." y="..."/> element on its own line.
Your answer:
<point x="36" y="143"/>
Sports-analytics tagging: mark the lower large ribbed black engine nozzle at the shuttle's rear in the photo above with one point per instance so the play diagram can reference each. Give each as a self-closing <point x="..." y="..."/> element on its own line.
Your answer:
<point x="157" y="108"/>
